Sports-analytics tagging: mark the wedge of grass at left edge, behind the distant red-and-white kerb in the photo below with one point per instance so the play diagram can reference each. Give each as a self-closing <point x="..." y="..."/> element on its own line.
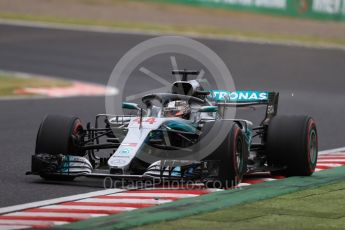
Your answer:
<point x="10" y="83"/>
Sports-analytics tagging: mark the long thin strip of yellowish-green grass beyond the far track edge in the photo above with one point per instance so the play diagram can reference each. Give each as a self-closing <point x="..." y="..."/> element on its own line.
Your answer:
<point x="175" y="29"/>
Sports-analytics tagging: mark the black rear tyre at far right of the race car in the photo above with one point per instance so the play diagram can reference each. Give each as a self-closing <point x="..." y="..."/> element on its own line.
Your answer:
<point x="292" y="142"/>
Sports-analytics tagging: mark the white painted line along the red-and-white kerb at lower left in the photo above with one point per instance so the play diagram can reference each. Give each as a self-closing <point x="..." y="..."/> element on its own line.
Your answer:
<point x="58" y="200"/>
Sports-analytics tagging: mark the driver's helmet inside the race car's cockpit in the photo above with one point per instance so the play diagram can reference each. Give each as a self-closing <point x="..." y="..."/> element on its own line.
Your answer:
<point x="177" y="109"/>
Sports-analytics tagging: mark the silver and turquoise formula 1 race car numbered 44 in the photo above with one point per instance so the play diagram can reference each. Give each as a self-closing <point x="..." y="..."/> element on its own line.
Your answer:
<point x="170" y="138"/>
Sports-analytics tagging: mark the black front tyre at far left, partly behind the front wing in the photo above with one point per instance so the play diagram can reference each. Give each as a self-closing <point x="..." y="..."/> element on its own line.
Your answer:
<point x="59" y="135"/>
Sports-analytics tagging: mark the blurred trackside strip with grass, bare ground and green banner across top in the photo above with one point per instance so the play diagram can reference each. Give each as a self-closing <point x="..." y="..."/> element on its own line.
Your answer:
<point x="307" y="21"/>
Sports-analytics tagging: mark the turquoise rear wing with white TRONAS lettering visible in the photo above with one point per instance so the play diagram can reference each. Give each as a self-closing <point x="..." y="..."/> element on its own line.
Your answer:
<point x="224" y="99"/>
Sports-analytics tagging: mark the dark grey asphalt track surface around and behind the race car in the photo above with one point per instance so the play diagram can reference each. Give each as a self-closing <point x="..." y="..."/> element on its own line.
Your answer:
<point x="315" y="77"/>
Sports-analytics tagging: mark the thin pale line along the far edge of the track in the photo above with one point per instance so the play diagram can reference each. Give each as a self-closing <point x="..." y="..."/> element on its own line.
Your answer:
<point x="102" y="29"/>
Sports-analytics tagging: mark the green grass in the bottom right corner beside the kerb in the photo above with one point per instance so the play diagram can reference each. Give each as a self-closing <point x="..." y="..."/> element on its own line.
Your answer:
<point x="320" y="208"/>
